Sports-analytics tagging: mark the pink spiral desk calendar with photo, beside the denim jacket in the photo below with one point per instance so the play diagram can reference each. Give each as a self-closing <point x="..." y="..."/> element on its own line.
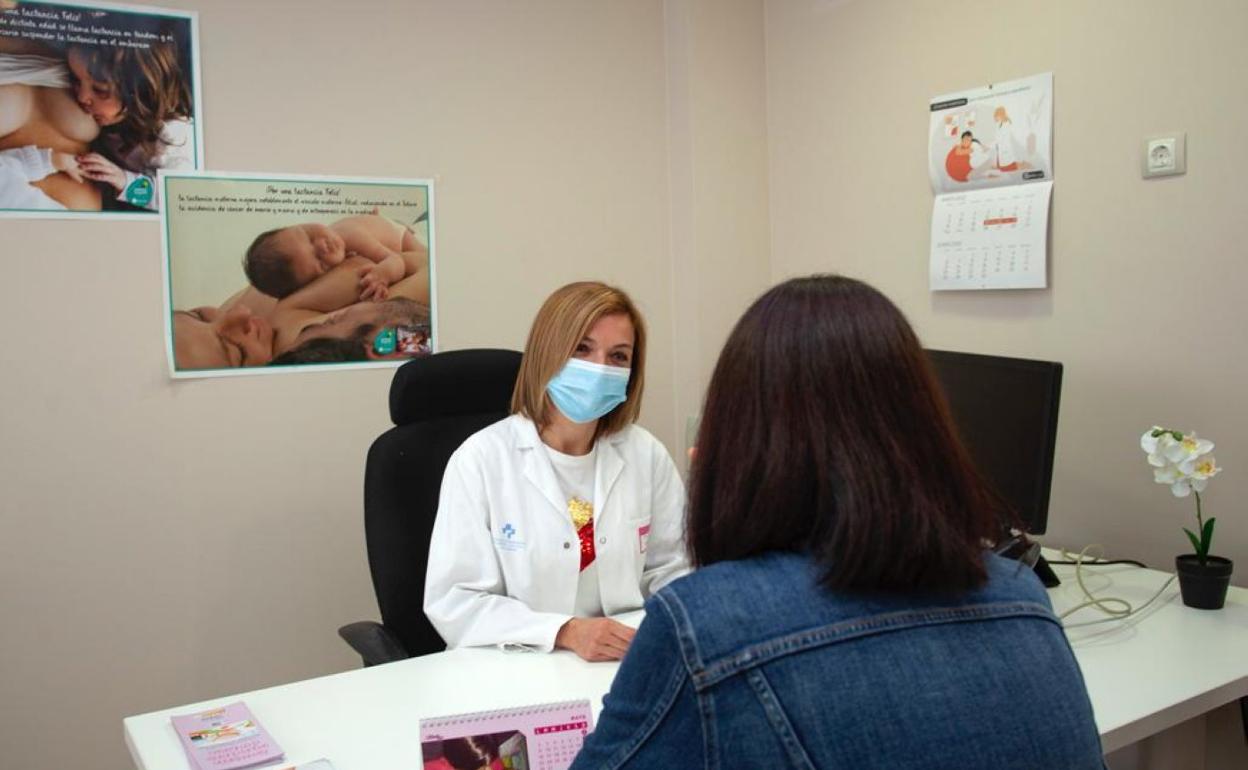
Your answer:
<point x="545" y="737"/>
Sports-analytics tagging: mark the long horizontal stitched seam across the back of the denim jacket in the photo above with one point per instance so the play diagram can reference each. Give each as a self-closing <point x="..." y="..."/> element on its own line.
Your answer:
<point x="757" y="655"/>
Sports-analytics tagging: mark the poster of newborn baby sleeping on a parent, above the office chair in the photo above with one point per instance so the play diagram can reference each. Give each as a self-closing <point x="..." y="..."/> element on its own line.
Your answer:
<point x="281" y="274"/>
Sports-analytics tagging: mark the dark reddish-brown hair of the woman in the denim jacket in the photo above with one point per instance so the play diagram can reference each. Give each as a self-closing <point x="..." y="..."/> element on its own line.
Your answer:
<point x="826" y="432"/>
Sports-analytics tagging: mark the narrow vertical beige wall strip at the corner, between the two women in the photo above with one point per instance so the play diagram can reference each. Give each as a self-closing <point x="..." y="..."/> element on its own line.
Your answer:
<point x="718" y="179"/>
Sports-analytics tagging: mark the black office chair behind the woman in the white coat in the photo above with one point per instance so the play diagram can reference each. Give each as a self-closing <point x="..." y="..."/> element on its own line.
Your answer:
<point x="436" y="404"/>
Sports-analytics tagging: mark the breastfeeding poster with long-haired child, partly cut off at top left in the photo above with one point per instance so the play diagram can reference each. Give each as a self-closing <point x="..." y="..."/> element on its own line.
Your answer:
<point x="94" y="100"/>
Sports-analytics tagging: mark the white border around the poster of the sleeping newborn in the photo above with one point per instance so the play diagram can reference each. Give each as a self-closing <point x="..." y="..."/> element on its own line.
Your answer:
<point x="167" y="273"/>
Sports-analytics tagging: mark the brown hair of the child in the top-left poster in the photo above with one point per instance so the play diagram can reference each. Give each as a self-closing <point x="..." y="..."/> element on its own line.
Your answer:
<point x="153" y="90"/>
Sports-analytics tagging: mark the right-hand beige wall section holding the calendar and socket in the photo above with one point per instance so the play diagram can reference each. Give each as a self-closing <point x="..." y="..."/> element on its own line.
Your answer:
<point x="1146" y="303"/>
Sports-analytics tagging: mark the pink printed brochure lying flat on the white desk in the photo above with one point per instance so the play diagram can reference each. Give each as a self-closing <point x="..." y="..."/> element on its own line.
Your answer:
<point x="225" y="738"/>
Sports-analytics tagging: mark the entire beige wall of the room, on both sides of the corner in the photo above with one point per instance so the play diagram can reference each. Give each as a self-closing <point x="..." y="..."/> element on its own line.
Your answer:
<point x="169" y="542"/>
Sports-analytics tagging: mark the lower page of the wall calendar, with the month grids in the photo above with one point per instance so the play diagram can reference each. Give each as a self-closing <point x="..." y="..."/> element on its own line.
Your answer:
<point x="992" y="239"/>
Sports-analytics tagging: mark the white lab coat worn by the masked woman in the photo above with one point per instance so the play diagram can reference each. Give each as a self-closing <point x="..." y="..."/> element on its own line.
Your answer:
<point x="505" y="557"/>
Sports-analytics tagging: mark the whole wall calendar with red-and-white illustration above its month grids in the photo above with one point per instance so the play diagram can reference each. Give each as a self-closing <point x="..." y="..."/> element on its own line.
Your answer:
<point x="990" y="159"/>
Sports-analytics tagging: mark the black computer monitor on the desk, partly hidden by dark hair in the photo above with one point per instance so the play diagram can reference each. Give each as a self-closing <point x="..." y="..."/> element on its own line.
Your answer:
<point x="1007" y="414"/>
